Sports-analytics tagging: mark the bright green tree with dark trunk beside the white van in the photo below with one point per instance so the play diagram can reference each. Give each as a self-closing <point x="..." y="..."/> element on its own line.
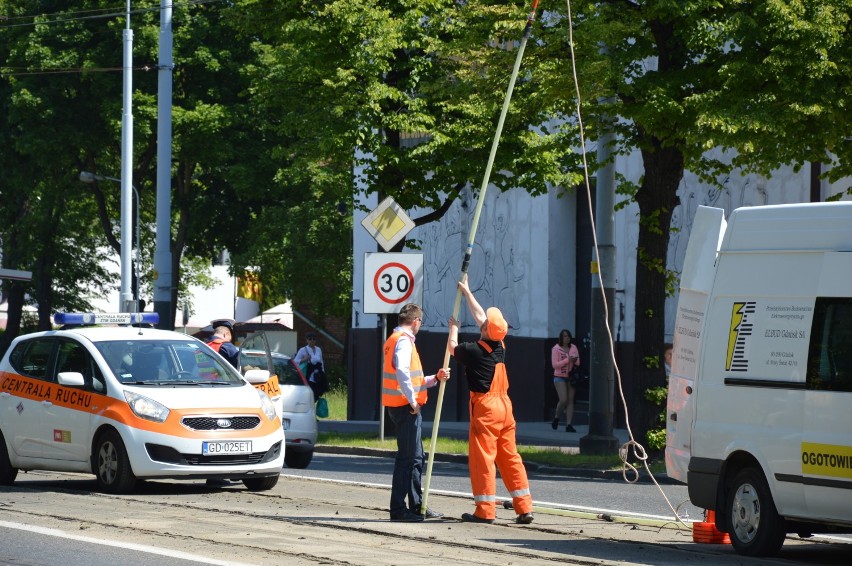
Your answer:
<point x="681" y="77"/>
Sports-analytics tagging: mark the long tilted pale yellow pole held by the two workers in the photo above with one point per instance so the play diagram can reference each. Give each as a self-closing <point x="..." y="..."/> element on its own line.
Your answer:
<point x="469" y="250"/>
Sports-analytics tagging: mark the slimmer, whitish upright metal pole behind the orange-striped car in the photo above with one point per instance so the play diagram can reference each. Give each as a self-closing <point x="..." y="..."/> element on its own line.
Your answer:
<point x="126" y="296"/>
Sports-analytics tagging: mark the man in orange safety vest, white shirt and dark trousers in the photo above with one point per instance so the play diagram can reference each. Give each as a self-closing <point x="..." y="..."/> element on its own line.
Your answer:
<point x="404" y="393"/>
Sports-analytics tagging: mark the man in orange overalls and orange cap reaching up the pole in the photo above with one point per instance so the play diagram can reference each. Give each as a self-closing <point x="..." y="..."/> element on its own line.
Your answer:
<point x="492" y="425"/>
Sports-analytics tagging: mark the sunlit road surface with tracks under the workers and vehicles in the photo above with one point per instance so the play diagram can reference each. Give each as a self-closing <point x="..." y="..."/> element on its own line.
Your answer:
<point x="333" y="520"/>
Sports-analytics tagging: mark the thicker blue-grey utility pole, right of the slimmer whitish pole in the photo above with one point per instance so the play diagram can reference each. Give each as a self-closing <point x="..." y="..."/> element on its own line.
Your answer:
<point x="162" y="253"/>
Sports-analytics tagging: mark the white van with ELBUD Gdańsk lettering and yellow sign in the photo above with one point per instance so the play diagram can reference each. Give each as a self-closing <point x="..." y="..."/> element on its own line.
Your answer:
<point x="759" y="424"/>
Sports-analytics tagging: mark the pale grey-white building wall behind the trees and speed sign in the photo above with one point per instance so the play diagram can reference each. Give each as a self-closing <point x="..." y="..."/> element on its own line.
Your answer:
<point x="525" y="251"/>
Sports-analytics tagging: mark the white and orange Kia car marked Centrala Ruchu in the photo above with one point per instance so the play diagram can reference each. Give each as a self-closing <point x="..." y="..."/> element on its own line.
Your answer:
<point x="128" y="402"/>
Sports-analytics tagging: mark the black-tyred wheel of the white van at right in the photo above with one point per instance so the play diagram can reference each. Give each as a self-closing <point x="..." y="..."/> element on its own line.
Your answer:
<point x="756" y="529"/>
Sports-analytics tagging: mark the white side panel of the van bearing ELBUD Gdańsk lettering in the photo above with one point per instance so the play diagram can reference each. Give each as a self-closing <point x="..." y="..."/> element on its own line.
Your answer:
<point x="752" y="378"/>
